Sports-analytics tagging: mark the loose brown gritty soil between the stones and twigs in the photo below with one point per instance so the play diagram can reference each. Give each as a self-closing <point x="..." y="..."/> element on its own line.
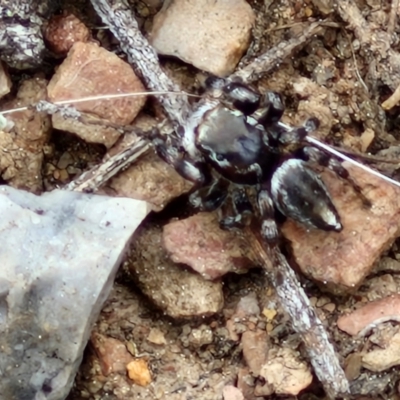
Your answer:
<point x="342" y="76"/>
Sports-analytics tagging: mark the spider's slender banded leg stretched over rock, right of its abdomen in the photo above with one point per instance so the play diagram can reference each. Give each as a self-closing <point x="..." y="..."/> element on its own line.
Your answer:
<point x="318" y="156"/>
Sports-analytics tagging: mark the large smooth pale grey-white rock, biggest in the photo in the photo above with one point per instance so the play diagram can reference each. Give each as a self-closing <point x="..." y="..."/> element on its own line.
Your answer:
<point x="59" y="254"/>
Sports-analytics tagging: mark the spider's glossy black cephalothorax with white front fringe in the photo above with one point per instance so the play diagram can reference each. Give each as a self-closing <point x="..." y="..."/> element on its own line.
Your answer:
<point x="231" y="145"/>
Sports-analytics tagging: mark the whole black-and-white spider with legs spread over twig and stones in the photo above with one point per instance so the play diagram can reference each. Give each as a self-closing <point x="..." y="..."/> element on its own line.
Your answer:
<point x="241" y="137"/>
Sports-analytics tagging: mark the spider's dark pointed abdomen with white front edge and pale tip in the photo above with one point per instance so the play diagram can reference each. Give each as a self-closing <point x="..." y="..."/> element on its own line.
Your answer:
<point x="299" y="193"/>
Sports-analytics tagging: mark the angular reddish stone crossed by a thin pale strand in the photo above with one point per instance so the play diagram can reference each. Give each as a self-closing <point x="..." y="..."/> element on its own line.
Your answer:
<point x="90" y="70"/>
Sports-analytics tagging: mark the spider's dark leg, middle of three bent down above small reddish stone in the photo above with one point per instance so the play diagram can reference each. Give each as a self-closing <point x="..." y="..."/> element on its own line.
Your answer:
<point x="237" y="210"/>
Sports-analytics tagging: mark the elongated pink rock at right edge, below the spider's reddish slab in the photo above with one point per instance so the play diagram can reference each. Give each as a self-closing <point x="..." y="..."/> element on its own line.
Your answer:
<point x="375" y="312"/>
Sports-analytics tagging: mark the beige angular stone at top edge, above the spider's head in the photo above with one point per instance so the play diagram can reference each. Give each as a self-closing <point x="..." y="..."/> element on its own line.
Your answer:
<point x="216" y="33"/>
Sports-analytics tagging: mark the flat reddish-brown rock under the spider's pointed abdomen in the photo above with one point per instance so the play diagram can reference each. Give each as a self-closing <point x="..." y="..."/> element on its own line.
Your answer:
<point x="341" y="261"/>
